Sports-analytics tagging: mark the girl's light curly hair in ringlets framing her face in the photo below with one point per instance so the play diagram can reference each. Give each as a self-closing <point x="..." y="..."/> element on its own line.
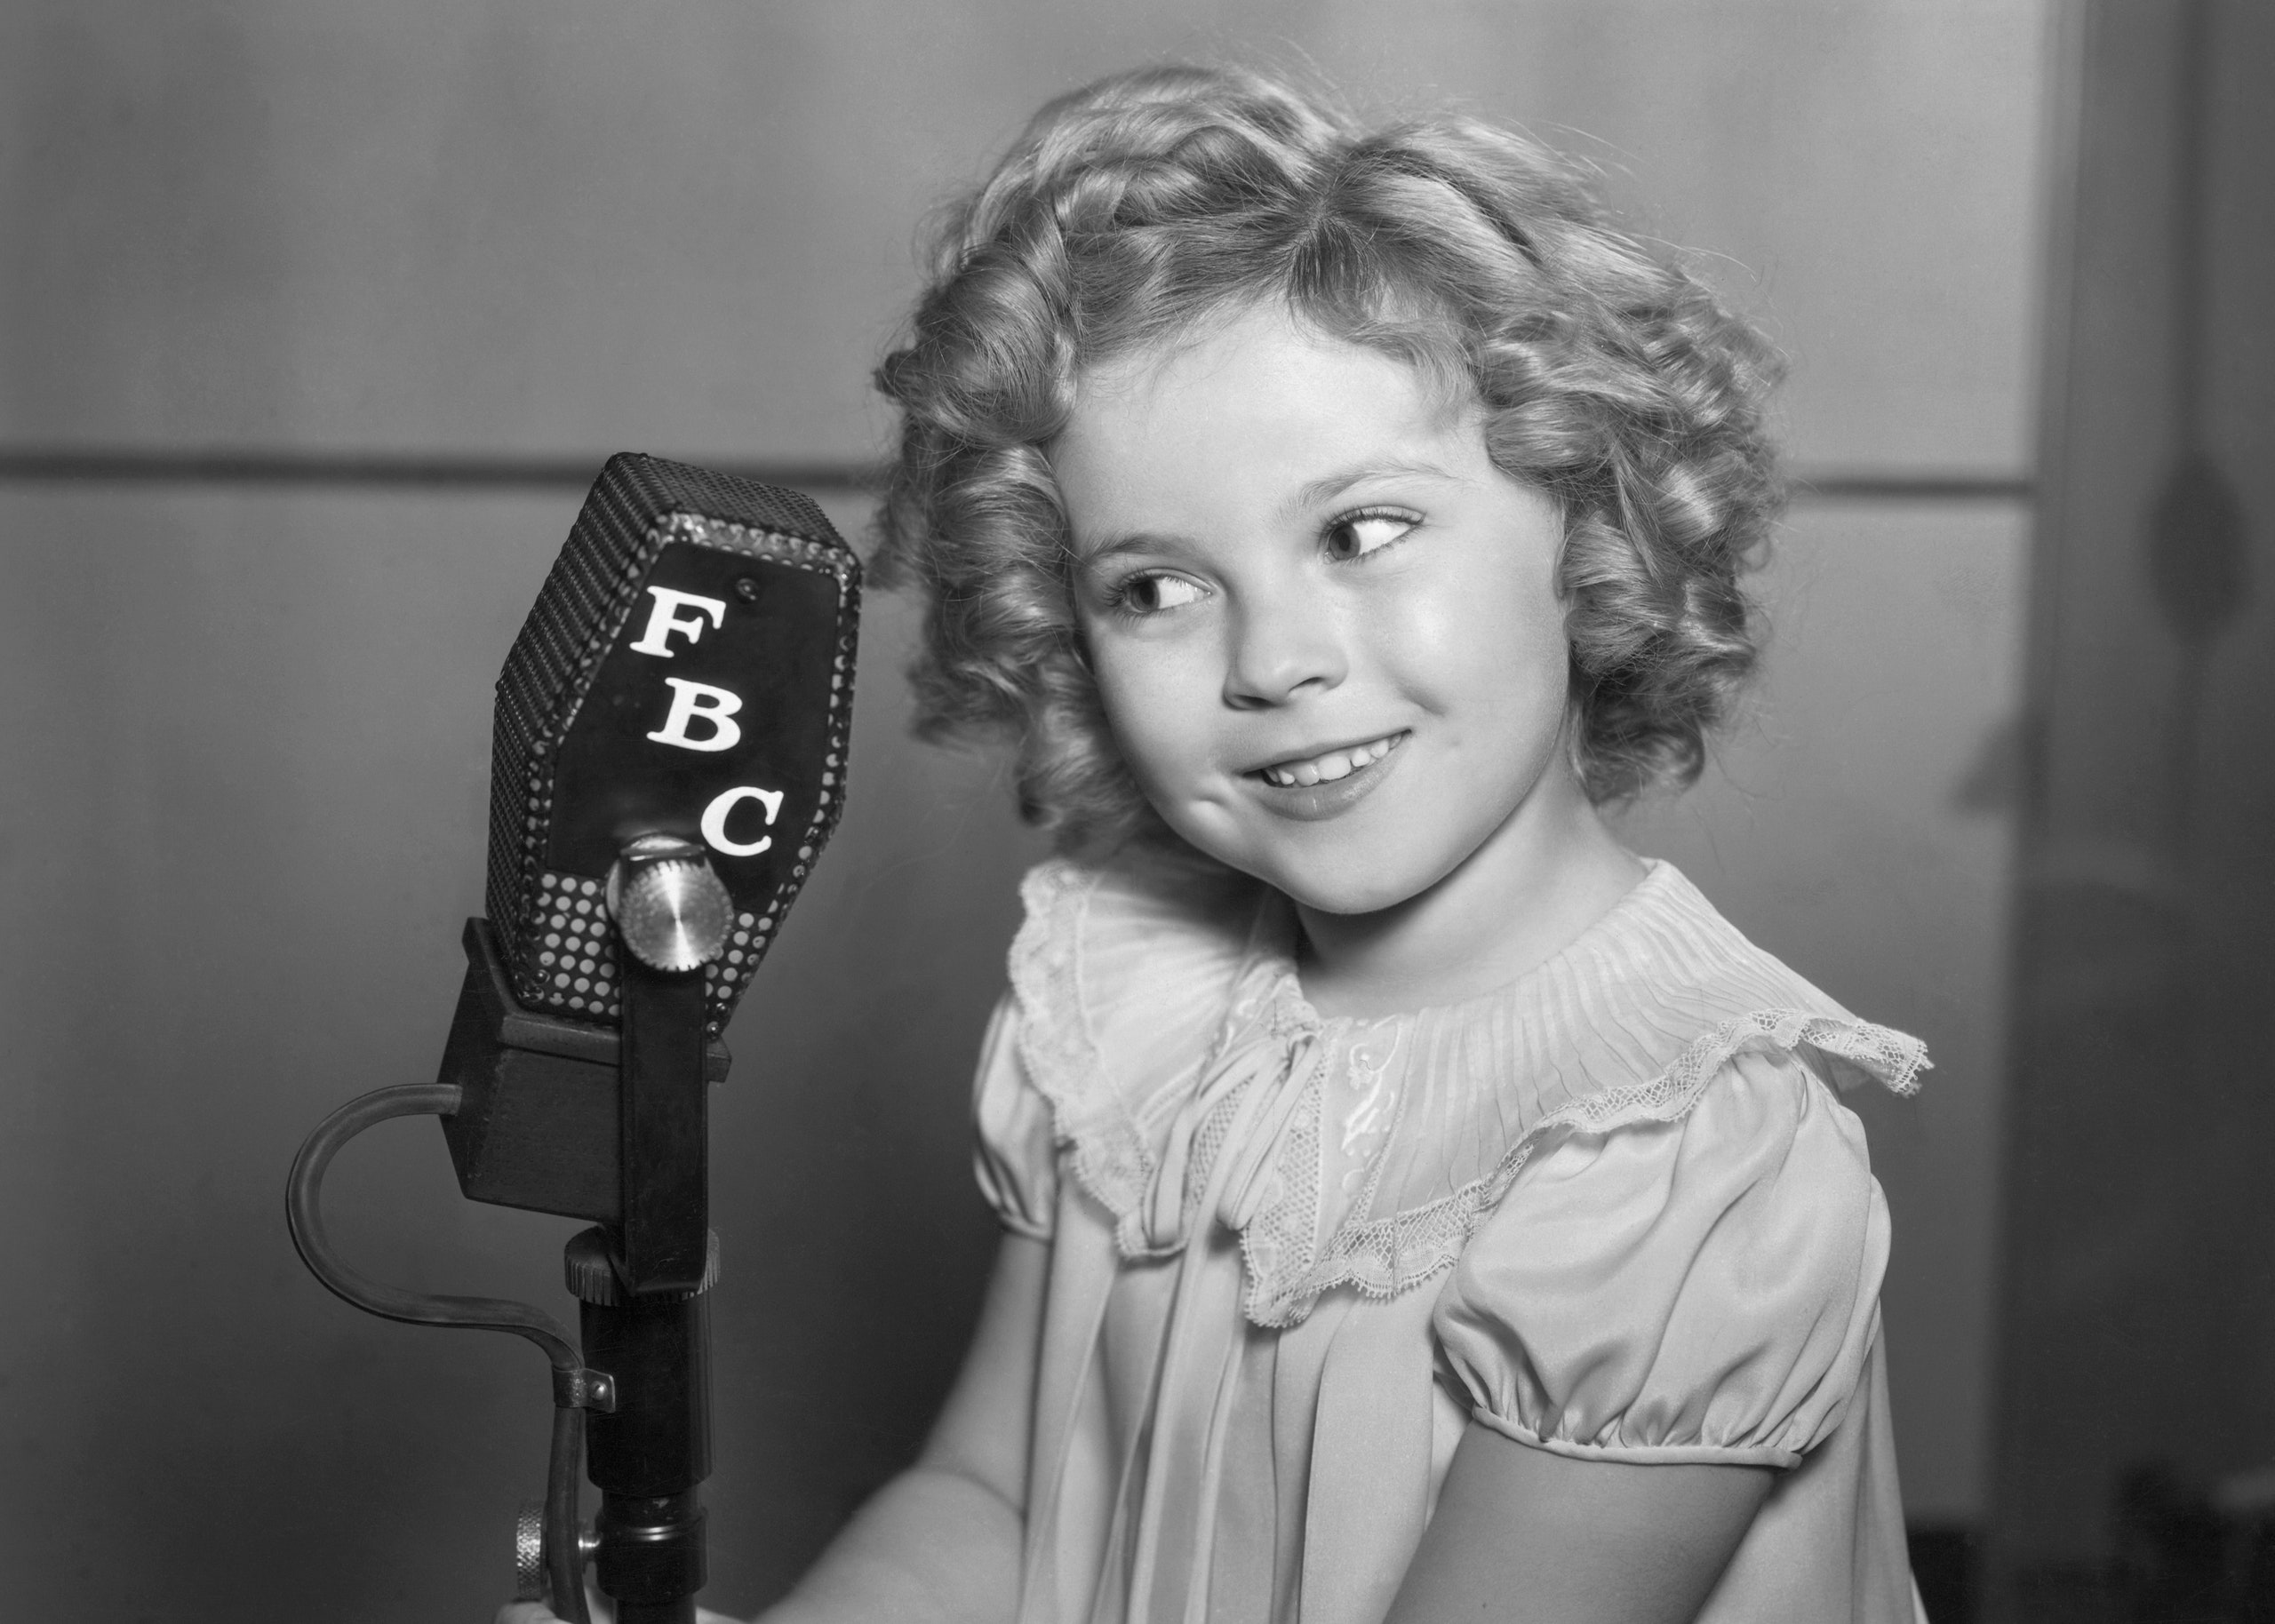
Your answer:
<point x="1143" y="206"/>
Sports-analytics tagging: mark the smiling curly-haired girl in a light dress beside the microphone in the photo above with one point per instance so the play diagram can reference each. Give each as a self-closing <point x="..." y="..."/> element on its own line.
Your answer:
<point x="1418" y="1207"/>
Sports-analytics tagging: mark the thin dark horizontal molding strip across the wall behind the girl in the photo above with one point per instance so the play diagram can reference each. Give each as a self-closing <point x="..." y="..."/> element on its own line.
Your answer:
<point x="515" y="472"/>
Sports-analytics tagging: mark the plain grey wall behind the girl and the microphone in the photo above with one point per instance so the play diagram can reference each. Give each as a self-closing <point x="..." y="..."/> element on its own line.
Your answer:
<point x="245" y="729"/>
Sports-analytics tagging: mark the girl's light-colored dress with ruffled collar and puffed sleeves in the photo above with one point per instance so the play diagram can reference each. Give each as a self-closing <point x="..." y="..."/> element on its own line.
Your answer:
<point x="1612" y="1211"/>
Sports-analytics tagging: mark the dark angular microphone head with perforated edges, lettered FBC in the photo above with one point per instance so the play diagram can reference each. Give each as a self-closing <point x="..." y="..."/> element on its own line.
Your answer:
<point x="570" y="772"/>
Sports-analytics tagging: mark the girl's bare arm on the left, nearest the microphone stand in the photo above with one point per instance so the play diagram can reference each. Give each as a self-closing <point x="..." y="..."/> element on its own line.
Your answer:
<point x="943" y="1541"/>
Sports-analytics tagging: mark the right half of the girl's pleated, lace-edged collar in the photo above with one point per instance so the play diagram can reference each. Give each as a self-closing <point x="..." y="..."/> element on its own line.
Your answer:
<point x="1632" y="1041"/>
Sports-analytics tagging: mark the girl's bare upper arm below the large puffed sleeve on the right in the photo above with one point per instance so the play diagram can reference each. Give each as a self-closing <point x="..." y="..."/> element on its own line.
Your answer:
<point x="1525" y="1534"/>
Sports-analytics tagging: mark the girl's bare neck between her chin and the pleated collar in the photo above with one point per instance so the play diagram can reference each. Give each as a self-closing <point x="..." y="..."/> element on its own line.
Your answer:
<point x="1507" y="909"/>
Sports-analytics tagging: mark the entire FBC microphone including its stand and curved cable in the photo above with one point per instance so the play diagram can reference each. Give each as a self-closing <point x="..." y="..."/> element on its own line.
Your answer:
<point x="668" y="763"/>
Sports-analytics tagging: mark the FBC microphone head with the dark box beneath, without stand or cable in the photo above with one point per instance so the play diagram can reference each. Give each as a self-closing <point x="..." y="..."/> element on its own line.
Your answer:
<point x="688" y="674"/>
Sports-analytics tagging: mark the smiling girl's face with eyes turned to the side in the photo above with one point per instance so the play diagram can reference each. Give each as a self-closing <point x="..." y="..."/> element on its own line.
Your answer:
<point x="1323" y="624"/>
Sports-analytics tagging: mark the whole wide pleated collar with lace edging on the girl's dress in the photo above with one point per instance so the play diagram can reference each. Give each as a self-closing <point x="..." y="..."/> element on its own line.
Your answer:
<point x="1166" y="1025"/>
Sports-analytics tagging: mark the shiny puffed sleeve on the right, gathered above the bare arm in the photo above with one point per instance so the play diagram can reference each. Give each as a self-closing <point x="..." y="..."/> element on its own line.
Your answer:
<point x="1687" y="1291"/>
